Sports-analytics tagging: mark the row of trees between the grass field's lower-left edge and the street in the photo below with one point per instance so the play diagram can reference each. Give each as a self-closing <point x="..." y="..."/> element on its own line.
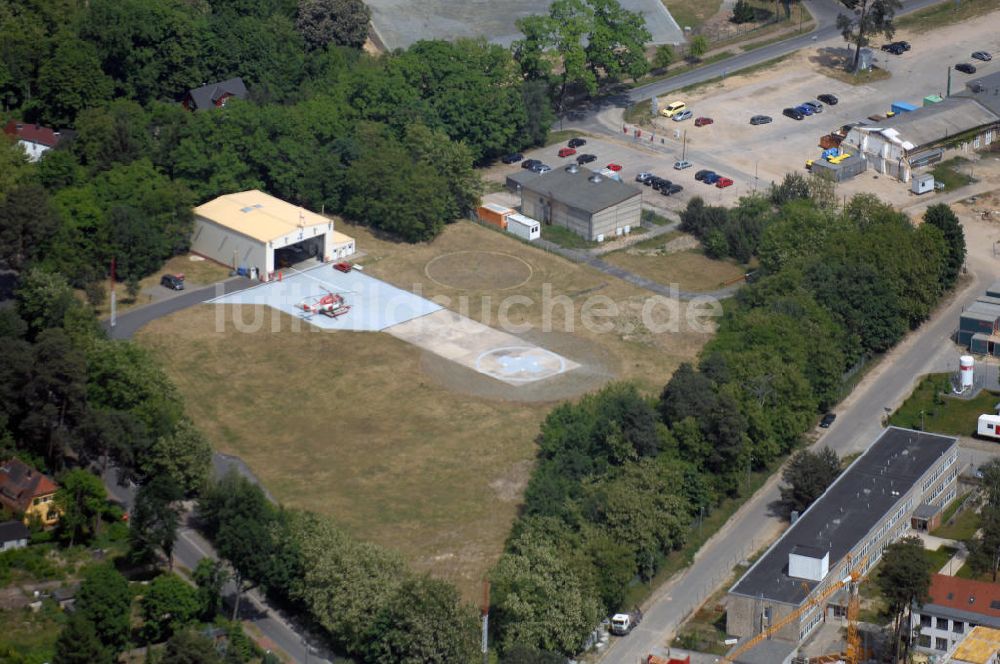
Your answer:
<point x="369" y="604"/>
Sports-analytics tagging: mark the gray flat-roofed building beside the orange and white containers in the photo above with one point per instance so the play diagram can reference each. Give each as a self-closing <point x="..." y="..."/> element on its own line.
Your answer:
<point x="591" y="205"/>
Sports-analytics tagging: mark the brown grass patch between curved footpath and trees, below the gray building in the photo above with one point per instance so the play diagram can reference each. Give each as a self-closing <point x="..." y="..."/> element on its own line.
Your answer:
<point x="690" y="270"/>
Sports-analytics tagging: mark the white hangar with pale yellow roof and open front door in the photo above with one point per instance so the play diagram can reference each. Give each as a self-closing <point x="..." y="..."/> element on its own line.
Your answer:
<point x="247" y="229"/>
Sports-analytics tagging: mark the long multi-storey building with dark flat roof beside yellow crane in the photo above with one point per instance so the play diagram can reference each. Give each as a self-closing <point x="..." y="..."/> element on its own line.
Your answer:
<point x="867" y="508"/>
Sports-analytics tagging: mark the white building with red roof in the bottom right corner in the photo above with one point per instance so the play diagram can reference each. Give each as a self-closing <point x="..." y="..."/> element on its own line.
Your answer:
<point x="954" y="608"/>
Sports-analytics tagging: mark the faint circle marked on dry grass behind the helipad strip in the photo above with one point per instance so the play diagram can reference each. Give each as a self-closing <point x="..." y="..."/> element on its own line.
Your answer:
<point x="478" y="270"/>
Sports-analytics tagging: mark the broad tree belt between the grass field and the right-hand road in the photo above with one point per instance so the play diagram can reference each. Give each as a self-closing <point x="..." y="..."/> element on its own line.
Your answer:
<point x="620" y="478"/>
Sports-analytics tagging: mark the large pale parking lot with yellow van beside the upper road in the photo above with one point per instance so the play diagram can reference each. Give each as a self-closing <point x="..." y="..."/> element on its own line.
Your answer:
<point x="771" y="150"/>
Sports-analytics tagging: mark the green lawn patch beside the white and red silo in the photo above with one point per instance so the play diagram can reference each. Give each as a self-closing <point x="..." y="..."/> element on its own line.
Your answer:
<point x="930" y="410"/>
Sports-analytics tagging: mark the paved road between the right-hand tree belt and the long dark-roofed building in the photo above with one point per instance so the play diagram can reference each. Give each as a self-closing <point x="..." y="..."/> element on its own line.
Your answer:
<point x="858" y="423"/>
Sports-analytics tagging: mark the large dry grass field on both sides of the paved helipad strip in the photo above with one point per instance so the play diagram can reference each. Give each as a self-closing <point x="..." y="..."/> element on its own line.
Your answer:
<point x="359" y="426"/>
